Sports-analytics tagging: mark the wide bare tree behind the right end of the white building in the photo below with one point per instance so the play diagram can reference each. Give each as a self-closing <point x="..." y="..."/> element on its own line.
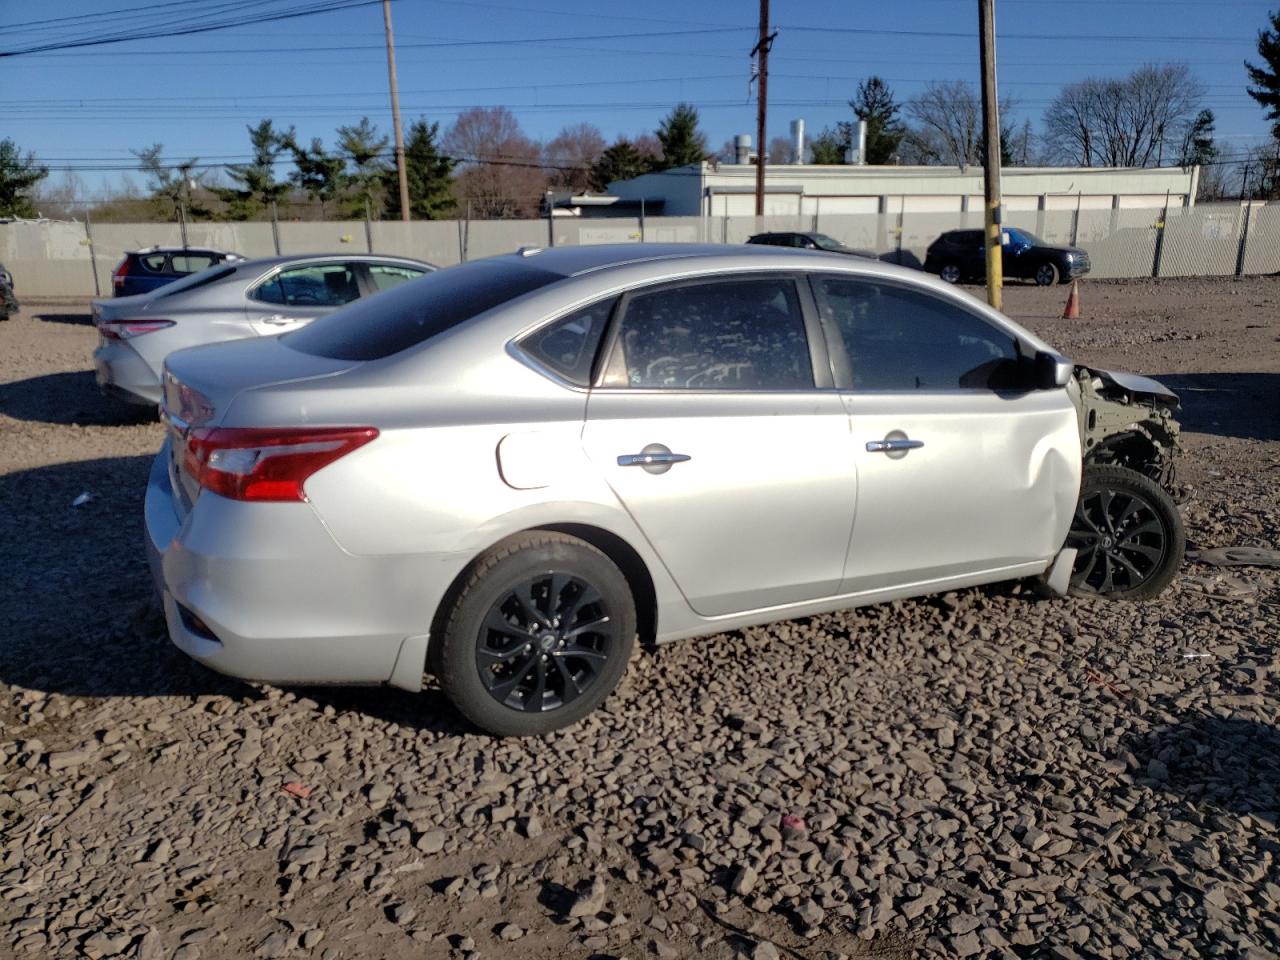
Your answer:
<point x="1126" y="122"/>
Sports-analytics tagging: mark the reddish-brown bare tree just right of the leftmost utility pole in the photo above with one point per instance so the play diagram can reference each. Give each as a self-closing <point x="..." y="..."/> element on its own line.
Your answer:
<point x="501" y="171"/>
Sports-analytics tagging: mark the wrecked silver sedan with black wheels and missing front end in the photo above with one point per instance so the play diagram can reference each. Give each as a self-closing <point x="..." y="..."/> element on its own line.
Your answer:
<point x="508" y="472"/>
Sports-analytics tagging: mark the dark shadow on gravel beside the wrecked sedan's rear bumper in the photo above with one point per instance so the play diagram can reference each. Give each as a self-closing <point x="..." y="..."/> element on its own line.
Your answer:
<point x="77" y="601"/>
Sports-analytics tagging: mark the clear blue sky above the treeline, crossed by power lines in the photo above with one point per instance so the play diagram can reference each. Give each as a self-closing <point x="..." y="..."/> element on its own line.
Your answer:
<point x="90" y="107"/>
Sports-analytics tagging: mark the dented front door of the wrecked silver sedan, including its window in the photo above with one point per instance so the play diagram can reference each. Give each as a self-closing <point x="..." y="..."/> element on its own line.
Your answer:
<point x="962" y="469"/>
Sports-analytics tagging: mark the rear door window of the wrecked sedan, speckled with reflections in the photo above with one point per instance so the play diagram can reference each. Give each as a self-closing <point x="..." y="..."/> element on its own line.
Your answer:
<point x="723" y="336"/>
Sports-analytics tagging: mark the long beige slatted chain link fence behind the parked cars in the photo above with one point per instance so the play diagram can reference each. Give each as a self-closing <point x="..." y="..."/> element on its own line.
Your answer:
<point x="72" y="259"/>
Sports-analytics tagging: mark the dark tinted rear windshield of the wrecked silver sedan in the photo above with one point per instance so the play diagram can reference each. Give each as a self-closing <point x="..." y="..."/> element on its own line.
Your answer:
<point x="415" y="312"/>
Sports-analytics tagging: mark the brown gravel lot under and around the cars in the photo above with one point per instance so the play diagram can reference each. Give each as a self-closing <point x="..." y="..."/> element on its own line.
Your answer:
<point x="980" y="774"/>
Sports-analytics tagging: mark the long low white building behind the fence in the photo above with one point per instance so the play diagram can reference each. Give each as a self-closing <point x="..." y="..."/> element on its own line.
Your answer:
<point x="715" y="189"/>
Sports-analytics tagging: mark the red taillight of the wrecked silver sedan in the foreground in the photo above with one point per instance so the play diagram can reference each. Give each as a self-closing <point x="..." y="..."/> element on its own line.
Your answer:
<point x="253" y="464"/>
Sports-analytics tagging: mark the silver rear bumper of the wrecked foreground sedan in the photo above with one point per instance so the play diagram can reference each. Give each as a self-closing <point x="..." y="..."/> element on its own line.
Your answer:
<point x="263" y="592"/>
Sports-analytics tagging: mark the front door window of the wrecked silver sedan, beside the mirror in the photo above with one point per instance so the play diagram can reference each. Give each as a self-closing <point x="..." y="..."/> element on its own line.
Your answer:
<point x="904" y="340"/>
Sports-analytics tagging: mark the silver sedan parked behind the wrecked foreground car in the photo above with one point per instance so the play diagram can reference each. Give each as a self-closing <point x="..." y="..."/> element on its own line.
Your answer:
<point x="226" y="303"/>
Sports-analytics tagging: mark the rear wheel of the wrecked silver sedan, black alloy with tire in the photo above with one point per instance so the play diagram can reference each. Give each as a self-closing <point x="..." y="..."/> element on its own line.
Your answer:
<point x="540" y="637"/>
